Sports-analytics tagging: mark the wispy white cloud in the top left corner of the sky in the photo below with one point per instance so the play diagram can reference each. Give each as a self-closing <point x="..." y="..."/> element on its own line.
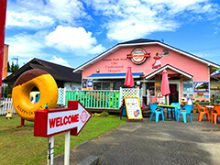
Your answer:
<point x="38" y="14"/>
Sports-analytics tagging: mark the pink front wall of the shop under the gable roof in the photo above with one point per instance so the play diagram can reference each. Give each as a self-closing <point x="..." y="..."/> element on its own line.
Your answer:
<point x="118" y="62"/>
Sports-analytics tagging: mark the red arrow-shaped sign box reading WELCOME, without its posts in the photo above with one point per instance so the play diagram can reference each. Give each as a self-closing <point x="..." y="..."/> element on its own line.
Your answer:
<point x="54" y="121"/>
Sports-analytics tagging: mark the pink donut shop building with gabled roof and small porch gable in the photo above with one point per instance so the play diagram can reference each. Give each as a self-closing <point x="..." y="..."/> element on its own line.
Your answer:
<point x="189" y="75"/>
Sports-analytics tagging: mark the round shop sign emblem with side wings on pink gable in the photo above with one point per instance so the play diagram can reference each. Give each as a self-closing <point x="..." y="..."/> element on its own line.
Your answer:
<point x="138" y="56"/>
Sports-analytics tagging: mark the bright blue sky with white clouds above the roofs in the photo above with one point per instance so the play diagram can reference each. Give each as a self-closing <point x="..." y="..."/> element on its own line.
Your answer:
<point x="70" y="32"/>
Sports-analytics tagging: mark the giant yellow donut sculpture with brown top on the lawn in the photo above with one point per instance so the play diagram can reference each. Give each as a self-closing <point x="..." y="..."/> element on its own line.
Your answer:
<point x="21" y="92"/>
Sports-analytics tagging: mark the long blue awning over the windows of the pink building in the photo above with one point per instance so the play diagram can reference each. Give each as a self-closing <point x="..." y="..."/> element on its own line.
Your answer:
<point x="114" y="75"/>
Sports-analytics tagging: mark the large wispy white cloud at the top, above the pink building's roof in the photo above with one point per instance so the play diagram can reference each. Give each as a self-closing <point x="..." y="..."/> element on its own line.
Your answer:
<point x="139" y="18"/>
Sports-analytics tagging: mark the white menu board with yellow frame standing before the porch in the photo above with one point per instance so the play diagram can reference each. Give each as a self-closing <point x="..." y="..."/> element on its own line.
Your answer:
<point x="133" y="108"/>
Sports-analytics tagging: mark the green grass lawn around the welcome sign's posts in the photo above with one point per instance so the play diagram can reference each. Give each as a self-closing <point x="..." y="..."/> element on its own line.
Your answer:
<point x="19" y="146"/>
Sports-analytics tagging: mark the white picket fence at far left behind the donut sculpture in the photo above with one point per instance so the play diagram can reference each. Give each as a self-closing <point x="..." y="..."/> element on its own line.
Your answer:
<point x="5" y="105"/>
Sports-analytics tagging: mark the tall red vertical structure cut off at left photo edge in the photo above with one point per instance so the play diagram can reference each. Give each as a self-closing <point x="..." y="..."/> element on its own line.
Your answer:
<point x="3" y="4"/>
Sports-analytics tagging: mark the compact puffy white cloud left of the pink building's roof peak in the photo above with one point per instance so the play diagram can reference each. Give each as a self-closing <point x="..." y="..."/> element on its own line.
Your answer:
<point x="73" y="39"/>
